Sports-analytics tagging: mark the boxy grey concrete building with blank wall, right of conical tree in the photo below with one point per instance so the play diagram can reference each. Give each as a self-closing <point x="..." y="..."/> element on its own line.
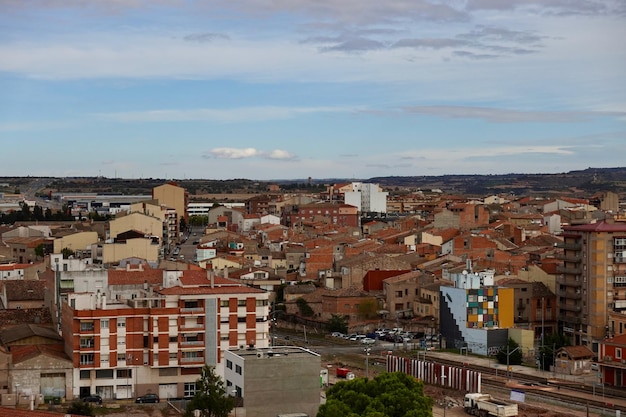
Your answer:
<point x="275" y="380"/>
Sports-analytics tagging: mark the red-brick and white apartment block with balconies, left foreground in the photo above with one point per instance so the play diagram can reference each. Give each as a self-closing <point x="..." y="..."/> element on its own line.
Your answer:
<point x="159" y="337"/>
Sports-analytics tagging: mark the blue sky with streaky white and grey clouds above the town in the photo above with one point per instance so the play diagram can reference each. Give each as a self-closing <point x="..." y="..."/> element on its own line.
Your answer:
<point x="291" y="89"/>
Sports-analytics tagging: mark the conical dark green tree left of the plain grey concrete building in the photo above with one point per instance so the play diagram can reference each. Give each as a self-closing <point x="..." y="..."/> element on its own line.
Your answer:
<point x="210" y="398"/>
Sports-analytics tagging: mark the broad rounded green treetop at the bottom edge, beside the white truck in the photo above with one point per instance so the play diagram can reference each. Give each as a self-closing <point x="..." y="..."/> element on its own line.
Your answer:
<point x="393" y="394"/>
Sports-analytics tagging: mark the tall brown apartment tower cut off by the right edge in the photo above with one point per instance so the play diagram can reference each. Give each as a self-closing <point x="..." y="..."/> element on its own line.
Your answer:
<point x="591" y="282"/>
